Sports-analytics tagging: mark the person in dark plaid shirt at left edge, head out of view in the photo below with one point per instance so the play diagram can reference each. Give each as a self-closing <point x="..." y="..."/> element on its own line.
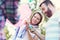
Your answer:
<point x="7" y="11"/>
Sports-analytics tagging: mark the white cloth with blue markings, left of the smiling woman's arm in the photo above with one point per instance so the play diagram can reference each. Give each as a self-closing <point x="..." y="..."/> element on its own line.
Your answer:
<point x="22" y="33"/>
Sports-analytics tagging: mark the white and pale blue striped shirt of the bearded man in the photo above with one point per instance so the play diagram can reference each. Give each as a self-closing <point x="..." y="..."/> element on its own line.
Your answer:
<point x="53" y="27"/>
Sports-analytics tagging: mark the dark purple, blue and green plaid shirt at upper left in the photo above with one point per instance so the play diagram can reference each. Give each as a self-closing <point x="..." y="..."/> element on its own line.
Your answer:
<point x="8" y="10"/>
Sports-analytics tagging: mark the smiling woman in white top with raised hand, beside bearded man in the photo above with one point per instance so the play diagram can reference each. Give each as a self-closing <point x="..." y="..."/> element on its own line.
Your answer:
<point x="33" y="27"/>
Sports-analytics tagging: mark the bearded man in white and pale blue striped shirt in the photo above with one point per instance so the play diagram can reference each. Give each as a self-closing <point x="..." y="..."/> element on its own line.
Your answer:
<point x="53" y="23"/>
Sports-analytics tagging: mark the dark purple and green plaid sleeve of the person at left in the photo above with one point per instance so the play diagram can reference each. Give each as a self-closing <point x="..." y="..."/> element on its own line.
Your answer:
<point x="11" y="13"/>
